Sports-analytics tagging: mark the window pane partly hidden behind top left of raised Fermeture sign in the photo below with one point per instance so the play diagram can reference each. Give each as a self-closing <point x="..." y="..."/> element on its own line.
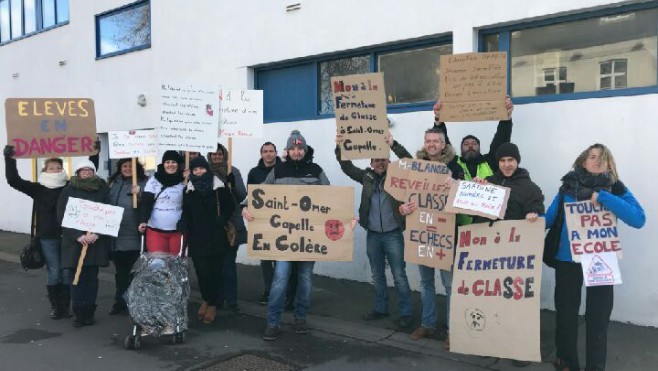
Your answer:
<point x="338" y="67"/>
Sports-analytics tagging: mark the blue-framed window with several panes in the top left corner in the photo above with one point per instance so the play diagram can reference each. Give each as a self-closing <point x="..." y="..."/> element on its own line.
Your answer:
<point x="20" y="18"/>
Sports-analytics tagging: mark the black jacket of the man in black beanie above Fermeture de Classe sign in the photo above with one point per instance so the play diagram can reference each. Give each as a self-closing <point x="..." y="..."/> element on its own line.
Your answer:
<point x="525" y="196"/>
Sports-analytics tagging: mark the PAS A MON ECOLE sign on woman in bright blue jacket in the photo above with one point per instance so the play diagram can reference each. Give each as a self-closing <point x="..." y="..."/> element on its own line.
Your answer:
<point x="592" y="229"/>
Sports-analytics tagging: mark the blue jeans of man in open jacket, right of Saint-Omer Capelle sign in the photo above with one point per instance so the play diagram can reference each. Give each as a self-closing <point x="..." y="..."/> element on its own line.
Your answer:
<point x="388" y="246"/>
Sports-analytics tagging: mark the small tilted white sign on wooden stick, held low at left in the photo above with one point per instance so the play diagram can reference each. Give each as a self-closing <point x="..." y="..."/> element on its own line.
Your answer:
<point x="92" y="216"/>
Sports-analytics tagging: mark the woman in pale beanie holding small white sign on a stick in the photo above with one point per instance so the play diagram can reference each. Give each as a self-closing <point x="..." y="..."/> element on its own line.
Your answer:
<point x="86" y="185"/>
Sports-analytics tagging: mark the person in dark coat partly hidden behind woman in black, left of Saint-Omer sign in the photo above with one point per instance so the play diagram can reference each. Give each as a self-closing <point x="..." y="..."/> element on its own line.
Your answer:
<point x="218" y="165"/>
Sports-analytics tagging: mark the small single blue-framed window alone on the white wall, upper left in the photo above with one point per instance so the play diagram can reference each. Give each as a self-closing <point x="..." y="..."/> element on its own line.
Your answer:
<point x="123" y="30"/>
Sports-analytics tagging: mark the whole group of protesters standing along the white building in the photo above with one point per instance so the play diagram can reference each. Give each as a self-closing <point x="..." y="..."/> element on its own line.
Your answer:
<point x="200" y="207"/>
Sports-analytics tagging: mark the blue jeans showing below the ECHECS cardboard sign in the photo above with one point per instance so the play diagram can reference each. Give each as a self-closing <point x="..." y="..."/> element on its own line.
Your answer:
<point x="428" y="294"/>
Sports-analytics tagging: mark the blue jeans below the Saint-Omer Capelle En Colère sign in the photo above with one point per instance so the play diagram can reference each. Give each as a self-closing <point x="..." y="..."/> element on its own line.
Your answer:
<point x="279" y="288"/>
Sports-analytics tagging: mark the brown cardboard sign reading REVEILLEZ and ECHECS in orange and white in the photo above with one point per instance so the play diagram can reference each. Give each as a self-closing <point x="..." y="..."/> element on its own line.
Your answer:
<point x="430" y="235"/>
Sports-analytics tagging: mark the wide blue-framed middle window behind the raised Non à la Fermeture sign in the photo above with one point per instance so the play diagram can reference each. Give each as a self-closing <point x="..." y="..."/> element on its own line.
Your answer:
<point x="301" y="90"/>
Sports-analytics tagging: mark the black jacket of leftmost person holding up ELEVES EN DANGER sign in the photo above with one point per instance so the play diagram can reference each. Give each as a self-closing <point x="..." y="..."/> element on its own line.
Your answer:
<point x="45" y="201"/>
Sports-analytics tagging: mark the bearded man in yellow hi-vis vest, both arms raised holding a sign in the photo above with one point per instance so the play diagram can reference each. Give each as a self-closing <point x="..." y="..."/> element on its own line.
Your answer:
<point x="472" y="163"/>
